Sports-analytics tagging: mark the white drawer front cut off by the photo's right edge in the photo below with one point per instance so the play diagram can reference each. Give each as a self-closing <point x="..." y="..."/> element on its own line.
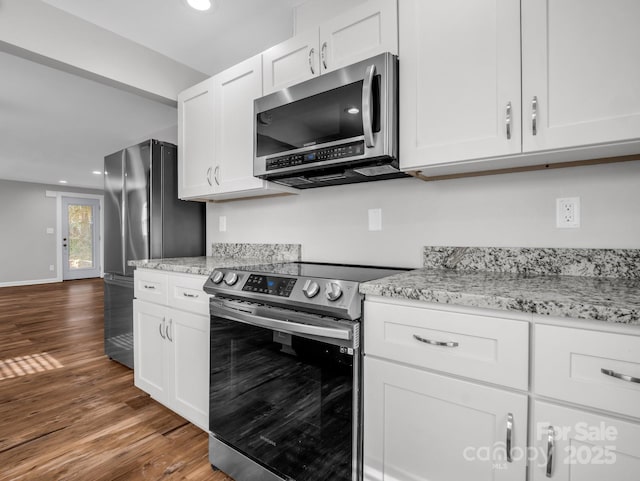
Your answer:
<point x="569" y="363"/>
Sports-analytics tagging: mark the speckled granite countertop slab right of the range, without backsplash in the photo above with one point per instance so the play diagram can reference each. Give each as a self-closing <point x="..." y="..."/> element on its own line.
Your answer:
<point x="605" y="299"/>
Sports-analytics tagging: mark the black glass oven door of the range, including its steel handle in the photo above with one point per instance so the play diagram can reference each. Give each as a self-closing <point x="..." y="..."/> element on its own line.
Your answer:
<point x="284" y="396"/>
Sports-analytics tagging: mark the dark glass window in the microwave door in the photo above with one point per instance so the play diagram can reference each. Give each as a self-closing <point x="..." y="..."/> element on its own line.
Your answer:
<point x="325" y="117"/>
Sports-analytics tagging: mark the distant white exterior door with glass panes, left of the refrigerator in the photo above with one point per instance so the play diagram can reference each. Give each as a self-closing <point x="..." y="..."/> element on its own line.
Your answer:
<point x="80" y="238"/>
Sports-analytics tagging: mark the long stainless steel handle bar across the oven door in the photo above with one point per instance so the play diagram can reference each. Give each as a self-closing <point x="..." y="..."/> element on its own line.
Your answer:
<point x="289" y="327"/>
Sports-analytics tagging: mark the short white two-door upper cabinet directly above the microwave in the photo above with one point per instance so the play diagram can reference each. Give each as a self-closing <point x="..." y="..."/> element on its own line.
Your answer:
<point x="362" y="32"/>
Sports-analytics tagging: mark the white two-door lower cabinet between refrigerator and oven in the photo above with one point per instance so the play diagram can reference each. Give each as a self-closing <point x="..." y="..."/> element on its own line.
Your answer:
<point x="171" y="349"/>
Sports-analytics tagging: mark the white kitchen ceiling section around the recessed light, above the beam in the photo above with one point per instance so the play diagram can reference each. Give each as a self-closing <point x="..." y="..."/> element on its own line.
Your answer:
<point x="206" y="41"/>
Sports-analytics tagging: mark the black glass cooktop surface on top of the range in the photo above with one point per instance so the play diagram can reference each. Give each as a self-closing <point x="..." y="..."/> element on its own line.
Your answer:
<point x="344" y="272"/>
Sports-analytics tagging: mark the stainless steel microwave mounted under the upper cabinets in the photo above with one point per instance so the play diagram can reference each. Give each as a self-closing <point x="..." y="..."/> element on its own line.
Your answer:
<point x="338" y="128"/>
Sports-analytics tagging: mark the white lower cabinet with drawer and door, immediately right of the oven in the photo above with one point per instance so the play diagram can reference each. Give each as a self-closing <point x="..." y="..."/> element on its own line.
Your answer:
<point x="424" y="423"/>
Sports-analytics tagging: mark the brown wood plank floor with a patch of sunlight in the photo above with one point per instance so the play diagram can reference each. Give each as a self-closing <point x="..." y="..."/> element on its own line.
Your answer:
<point x="69" y="413"/>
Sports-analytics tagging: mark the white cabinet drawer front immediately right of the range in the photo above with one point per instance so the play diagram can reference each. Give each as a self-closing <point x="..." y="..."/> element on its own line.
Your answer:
<point x="479" y="347"/>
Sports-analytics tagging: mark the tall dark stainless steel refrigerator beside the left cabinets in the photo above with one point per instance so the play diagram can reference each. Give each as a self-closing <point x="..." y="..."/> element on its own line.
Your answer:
<point x="143" y="219"/>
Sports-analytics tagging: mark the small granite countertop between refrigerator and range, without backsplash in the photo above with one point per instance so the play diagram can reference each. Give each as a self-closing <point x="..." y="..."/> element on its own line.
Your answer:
<point x="195" y="265"/>
